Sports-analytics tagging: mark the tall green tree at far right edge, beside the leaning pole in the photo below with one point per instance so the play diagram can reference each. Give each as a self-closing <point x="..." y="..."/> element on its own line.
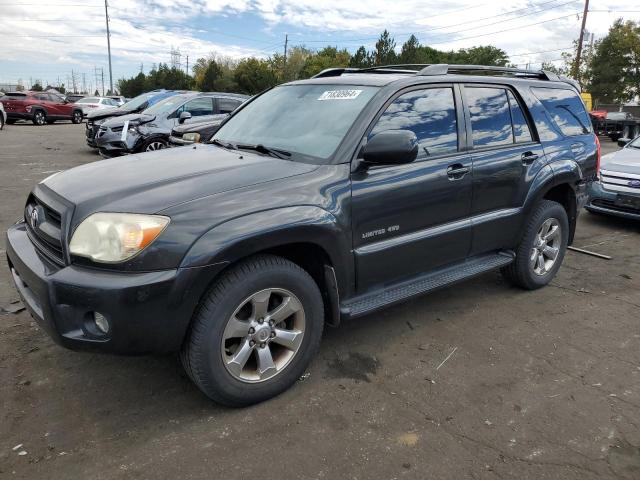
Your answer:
<point x="615" y="66"/>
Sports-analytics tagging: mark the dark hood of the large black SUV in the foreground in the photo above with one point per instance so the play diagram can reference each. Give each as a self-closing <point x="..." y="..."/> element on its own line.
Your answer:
<point x="154" y="181"/>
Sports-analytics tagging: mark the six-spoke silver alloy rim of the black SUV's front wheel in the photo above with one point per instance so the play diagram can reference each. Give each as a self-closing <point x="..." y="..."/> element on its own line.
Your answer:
<point x="263" y="335"/>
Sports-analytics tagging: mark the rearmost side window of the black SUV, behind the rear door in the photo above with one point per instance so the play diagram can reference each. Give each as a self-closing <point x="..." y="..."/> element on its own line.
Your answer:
<point x="566" y="110"/>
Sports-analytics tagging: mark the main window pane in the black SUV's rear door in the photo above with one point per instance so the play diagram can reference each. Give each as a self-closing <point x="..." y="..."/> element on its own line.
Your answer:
<point x="490" y="117"/>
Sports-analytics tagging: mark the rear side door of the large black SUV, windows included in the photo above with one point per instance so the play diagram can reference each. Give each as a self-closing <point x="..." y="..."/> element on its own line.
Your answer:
<point x="506" y="157"/>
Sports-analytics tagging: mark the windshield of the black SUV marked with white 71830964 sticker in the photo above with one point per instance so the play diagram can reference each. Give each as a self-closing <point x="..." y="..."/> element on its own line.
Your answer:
<point x="306" y="120"/>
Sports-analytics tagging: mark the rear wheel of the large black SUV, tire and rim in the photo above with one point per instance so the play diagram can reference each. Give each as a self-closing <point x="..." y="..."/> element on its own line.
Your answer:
<point x="527" y="272"/>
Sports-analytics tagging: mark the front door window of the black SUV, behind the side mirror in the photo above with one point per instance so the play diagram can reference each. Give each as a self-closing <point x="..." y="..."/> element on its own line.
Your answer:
<point x="430" y="114"/>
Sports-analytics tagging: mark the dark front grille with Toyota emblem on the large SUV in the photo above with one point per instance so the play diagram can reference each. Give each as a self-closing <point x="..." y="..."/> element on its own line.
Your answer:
<point x="44" y="228"/>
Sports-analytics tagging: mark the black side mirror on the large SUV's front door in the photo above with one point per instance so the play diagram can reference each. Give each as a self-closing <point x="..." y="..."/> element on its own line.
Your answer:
<point x="392" y="147"/>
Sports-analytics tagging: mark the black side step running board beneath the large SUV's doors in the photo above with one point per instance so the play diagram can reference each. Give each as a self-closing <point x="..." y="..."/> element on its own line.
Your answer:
<point x="429" y="282"/>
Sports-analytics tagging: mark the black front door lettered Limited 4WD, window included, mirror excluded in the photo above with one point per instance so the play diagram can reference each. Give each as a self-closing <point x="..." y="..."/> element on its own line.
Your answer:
<point x="408" y="219"/>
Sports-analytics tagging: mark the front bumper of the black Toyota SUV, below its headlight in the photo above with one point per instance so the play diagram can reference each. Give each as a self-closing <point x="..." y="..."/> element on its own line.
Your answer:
<point x="148" y="312"/>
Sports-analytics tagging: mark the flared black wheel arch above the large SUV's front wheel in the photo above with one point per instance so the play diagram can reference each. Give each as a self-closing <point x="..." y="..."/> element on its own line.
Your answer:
<point x="249" y="234"/>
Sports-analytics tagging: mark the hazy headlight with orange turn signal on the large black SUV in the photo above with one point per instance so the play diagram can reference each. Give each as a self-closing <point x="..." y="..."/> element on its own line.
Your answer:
<point x="115" y="237"/>
